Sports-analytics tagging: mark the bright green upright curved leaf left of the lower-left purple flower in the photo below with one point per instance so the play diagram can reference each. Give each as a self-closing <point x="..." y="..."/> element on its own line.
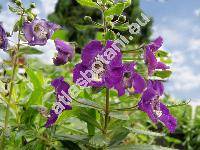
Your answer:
<point x="38" y="91"/>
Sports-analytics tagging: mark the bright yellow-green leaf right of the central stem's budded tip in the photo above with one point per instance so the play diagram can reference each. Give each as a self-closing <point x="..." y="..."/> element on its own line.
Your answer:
<point x="117" y="9"/>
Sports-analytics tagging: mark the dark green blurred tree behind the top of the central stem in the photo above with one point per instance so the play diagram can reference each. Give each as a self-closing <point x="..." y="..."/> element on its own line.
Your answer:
<point x="70" y="14"/>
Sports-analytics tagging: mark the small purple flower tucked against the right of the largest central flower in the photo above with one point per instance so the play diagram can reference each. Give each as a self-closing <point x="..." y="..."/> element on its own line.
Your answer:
<point x="132" y="81"/>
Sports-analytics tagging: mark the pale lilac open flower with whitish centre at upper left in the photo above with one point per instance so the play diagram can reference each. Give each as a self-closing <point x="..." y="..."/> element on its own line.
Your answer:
<point x="38" y="31"/>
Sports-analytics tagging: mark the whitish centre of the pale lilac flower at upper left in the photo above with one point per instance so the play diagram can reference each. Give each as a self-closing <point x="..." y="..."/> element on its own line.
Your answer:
<point x="40" y="31"/>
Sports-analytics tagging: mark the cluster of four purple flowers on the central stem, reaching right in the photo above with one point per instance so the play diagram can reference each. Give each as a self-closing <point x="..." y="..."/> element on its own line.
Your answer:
<point x="123" y="77"/>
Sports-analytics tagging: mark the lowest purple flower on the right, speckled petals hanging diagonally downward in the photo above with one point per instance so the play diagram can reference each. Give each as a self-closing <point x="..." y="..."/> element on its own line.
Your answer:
<point x="156" y="110"/>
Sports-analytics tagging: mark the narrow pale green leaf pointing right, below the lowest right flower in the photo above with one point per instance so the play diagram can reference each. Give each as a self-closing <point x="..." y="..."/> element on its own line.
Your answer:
<point x="149" y="133"/>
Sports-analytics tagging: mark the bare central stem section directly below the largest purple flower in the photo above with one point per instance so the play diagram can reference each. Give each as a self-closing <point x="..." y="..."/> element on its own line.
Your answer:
<point x="107" y="111"/>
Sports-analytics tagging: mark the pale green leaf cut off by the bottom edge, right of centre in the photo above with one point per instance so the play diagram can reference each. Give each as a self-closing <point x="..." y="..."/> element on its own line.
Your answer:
<point x="139" y="147"/>
